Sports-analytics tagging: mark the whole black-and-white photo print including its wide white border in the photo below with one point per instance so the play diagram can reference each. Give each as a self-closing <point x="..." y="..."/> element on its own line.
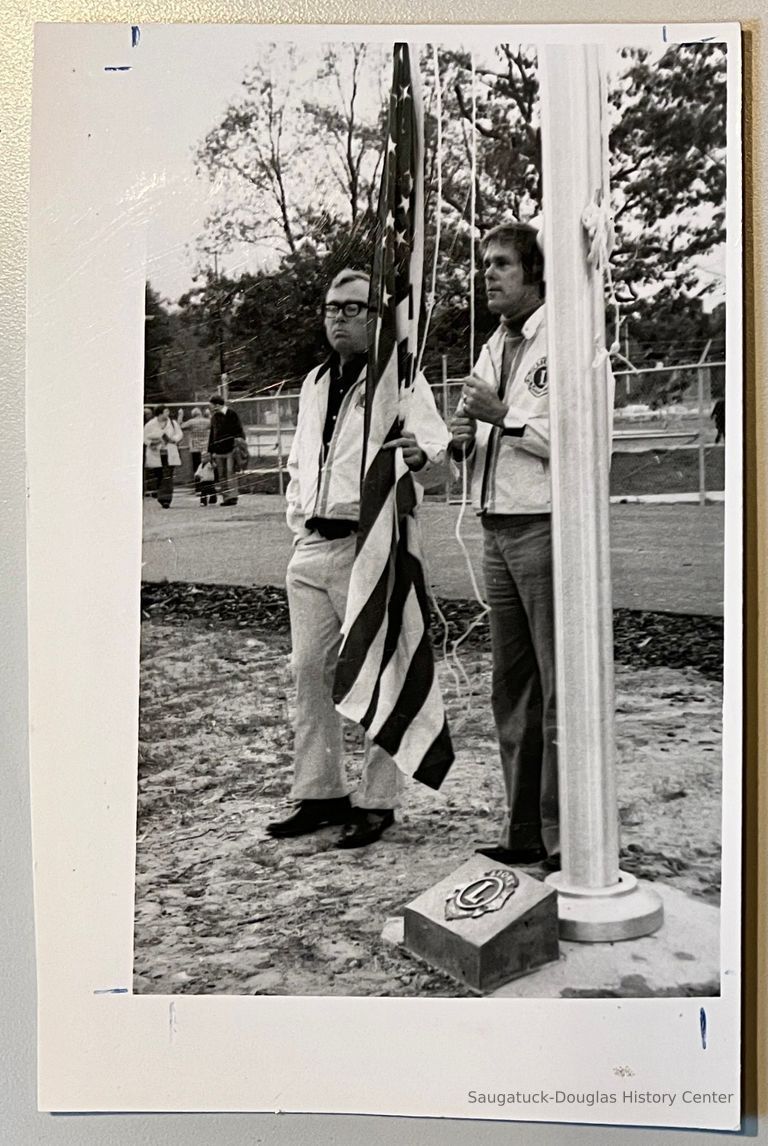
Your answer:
<point x="411" y="599"/>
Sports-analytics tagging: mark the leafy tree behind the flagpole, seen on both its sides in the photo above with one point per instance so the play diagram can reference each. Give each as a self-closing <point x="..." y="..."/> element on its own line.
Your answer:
<point x="668" y="174"/>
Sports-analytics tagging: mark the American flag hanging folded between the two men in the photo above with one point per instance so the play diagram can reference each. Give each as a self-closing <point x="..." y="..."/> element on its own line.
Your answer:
<point x="386" y="678"/>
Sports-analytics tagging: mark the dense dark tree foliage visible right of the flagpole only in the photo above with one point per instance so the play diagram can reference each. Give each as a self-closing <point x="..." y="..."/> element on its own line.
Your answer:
<point x="668" y="174"/>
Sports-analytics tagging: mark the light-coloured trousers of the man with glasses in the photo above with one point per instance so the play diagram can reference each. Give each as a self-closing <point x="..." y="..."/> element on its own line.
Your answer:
<point x="318" y="582"/>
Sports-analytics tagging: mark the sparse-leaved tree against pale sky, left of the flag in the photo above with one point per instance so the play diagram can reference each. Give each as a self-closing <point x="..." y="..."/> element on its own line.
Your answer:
<point x="286" y="163"/>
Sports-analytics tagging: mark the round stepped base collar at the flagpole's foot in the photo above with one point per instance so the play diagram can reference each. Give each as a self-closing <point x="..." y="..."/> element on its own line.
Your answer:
<point x="606" y="915"/>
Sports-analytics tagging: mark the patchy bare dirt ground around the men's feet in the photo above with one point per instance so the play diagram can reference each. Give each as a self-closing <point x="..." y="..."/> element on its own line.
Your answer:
<point x="224" y="909"/>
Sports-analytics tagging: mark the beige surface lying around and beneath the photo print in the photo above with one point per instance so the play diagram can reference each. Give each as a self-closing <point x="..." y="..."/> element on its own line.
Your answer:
<point x="18" y="1114"/>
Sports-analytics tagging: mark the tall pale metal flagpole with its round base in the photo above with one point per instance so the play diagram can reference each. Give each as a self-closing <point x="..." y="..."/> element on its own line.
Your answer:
<point x="597" y="901"/>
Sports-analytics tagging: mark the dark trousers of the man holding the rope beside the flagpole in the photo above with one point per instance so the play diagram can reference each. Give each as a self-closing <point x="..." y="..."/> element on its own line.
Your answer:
<point x="519" y="577"/>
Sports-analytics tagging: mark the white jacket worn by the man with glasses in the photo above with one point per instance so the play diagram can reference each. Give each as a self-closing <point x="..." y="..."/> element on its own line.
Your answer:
<point x="333" y="490"/>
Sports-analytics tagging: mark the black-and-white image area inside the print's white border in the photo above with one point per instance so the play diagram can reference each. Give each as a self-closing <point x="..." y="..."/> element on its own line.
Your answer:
<point x="349" y="503"/>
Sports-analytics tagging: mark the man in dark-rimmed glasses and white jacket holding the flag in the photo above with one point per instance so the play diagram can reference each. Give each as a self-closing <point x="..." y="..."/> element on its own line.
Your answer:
<point x="324" y="498"/>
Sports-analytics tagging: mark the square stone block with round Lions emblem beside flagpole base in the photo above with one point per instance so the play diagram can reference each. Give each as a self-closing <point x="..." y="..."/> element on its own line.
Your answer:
<point x="484" y="924"/>
